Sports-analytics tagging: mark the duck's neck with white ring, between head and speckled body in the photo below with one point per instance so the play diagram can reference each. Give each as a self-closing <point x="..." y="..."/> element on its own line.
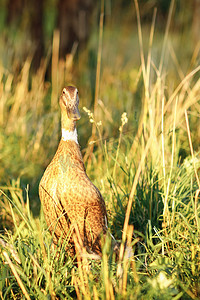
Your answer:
<point x="69" y="132"/>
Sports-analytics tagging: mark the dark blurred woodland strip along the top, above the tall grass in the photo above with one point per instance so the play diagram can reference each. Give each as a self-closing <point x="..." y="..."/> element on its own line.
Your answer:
<point x="32" y="25"/>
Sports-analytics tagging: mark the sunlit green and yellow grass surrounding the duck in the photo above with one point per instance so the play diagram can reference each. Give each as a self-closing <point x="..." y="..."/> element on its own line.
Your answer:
<point x="147" y="171"/>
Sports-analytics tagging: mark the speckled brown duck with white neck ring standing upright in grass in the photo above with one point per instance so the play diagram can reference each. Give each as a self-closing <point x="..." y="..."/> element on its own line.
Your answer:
<point x="69" y="199"/>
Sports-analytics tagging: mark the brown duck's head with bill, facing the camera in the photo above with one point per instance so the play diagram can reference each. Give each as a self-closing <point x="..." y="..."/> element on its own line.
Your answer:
<point x="69" y="101"/>
